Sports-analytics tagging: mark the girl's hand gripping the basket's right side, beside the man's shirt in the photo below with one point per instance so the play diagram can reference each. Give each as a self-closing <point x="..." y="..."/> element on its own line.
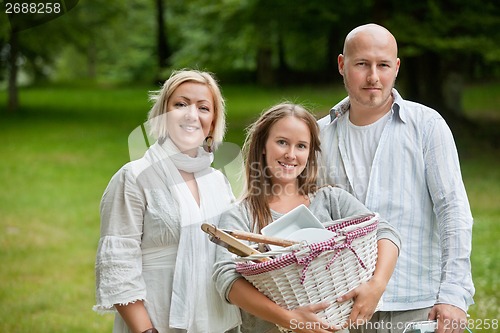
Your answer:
<point x="366" y="297"/>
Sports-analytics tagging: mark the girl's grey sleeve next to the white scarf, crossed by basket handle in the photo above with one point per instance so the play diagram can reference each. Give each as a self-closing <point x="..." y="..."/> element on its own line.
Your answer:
<point x="225" y="273"/>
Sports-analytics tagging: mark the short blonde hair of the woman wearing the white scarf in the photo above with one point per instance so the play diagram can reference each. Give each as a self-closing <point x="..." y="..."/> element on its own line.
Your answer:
<point x="156" y="116"/>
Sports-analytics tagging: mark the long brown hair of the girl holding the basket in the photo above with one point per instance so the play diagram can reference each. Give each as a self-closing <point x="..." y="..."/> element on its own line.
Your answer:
<point x="258" y="185"/>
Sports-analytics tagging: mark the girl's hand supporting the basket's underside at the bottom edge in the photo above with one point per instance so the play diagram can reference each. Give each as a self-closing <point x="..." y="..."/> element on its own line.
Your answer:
<point x="304" y="319"/>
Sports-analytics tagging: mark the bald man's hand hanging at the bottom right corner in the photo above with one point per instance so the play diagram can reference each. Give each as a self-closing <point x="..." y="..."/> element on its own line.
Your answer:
<point x="450" y="319"/>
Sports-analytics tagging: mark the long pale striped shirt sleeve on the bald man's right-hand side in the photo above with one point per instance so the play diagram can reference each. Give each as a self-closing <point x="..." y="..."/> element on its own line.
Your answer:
<point x="453" y="213"/>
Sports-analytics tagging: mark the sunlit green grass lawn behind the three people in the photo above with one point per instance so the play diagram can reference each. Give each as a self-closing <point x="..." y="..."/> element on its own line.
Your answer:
<point x="59" y="154"/>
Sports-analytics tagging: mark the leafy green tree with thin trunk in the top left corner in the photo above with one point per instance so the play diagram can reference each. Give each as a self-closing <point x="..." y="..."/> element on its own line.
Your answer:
<point x="36" y="43"/>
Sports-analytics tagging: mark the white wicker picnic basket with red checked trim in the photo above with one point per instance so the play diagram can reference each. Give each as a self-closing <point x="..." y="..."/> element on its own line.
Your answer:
<point x="311" y="273"/>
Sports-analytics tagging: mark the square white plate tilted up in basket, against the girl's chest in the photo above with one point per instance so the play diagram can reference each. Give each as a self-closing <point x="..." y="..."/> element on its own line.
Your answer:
<point x="297" y="219"/>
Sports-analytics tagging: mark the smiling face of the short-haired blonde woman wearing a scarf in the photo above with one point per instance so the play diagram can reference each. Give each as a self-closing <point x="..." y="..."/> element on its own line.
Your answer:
<point x="190" y="116"/>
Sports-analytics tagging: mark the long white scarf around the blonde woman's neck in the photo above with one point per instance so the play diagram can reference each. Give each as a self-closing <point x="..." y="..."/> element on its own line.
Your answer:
<point x="196" y="306"/>
